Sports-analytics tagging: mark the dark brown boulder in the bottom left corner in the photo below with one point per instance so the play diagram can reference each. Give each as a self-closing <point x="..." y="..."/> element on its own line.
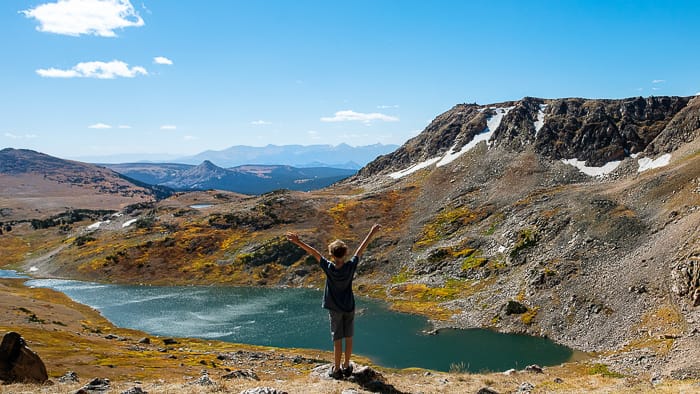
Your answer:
<point x="18" y="363"/>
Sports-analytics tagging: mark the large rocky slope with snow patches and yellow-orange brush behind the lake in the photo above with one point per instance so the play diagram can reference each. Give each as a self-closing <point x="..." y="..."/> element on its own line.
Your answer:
<point x="573" y="219"/>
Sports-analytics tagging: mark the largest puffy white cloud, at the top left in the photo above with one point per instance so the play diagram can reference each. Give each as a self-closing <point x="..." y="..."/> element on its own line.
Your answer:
<point x="91" y="17"/>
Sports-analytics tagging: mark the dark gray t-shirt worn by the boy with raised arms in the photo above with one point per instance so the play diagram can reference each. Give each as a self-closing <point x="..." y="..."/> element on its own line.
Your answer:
<point x="338" y="292"/>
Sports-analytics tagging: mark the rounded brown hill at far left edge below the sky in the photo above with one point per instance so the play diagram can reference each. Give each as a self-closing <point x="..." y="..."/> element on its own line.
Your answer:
<point x="36" y="185"/>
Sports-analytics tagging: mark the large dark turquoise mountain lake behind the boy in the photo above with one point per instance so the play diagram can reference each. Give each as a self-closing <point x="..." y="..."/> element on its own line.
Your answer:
<point x="293" y="318"/>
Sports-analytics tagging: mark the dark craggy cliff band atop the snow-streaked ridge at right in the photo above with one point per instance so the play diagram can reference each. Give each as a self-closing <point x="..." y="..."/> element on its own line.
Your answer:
<point x="594" y="131"/>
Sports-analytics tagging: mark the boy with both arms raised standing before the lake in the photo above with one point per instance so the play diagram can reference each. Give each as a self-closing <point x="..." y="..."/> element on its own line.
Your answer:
<point x="337" y="296"/>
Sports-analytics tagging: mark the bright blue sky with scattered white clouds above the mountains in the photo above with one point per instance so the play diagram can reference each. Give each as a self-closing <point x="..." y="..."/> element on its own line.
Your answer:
<point x="87" y="78"/>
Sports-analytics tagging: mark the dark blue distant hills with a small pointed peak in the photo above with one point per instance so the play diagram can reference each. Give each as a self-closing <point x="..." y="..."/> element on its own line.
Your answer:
<point x="247" y="179"/>
